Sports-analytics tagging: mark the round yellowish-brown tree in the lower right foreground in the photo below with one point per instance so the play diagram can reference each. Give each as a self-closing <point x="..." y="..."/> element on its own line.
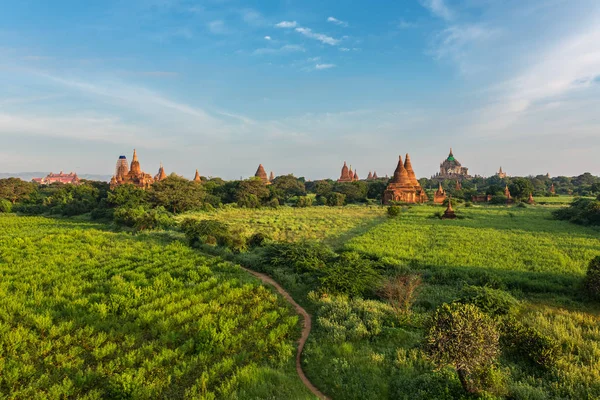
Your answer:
<point x="462" y="336"/>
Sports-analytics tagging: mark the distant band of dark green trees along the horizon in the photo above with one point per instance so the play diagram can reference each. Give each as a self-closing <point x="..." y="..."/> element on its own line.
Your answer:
<point x="133" y="206"/>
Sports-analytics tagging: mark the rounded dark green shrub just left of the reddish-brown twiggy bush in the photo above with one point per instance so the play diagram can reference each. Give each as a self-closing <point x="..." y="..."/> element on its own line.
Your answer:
<point x="350" y="274"/>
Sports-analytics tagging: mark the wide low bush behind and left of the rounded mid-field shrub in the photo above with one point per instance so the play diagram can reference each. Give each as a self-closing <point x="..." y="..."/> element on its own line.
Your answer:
<point x="302" y="257"/>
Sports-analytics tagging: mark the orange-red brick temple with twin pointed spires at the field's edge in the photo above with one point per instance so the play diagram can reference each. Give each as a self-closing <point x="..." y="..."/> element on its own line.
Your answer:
<point x="404" y="186"/>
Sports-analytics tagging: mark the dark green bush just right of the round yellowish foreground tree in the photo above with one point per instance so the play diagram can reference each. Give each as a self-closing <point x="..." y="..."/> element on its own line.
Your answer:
<point x="528" y="343"/>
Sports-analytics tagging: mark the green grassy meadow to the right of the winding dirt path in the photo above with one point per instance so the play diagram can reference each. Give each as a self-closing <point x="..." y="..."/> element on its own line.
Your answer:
<point x="357" y="352"/>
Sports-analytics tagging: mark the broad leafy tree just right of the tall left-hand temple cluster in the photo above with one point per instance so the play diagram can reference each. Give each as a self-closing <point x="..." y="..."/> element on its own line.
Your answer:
<point x="177" y="194"/>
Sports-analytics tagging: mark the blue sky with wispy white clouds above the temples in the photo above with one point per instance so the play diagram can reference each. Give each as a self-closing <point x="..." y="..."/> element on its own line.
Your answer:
<point x="300" y="85"/>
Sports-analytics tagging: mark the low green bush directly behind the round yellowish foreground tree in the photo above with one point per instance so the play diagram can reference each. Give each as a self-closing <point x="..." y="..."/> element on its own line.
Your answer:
<point x="494" y="302"/>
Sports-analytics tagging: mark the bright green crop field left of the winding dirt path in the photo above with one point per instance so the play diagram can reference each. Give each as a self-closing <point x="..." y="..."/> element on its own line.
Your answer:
<point x="88" y="313"/>
